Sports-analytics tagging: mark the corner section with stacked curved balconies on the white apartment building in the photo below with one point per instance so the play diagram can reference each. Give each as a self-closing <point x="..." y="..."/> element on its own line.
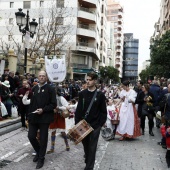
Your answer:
<point x="85" y="52"/>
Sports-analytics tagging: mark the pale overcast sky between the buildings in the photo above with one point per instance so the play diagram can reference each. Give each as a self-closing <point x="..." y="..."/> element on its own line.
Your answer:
<point x="139" y="19"/>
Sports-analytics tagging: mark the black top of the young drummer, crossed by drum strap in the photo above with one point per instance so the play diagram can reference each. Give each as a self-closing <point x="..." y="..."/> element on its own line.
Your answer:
<point x="98" y="112"/>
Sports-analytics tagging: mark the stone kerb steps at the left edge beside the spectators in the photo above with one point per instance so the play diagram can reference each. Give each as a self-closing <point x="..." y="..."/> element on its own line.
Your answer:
<point x="8" y="125"/>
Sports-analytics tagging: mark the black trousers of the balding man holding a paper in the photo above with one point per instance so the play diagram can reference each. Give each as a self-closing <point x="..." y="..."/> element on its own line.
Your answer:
<point x="41" y="147"/>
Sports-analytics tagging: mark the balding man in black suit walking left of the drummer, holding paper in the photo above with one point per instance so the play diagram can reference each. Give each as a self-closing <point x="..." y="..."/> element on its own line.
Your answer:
<point x="41" y="114"/>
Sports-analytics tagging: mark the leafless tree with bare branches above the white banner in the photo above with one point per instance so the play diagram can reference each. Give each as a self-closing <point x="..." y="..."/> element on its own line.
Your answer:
<point x="52" y="35"/>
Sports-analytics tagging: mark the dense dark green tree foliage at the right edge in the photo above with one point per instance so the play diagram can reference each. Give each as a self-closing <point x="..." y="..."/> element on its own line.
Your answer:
<point x="160" y="58"/>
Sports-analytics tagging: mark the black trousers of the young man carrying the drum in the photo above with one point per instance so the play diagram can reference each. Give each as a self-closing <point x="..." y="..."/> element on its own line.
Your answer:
<point x="90" y="146"/>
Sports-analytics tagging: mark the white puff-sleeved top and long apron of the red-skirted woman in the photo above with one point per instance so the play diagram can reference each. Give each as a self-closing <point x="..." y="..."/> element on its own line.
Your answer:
<point x="126" y="125"/>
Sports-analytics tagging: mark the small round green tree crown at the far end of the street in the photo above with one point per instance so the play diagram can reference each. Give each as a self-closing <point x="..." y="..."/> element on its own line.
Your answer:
<point x="109" y="72"/>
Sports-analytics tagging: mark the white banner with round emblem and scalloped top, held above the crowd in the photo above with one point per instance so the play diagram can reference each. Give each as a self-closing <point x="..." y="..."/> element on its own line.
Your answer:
<point x="56" y="68"/>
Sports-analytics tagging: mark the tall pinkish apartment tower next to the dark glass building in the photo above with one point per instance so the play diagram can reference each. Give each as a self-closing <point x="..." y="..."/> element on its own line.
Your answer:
<point x="115" y="16"/>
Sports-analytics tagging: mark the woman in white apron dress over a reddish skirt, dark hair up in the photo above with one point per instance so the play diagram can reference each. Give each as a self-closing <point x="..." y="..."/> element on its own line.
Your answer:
<point x="129" y="126"/>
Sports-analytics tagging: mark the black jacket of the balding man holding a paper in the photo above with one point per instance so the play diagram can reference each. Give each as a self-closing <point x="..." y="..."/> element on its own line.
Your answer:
<point x="45" y="98"/>
